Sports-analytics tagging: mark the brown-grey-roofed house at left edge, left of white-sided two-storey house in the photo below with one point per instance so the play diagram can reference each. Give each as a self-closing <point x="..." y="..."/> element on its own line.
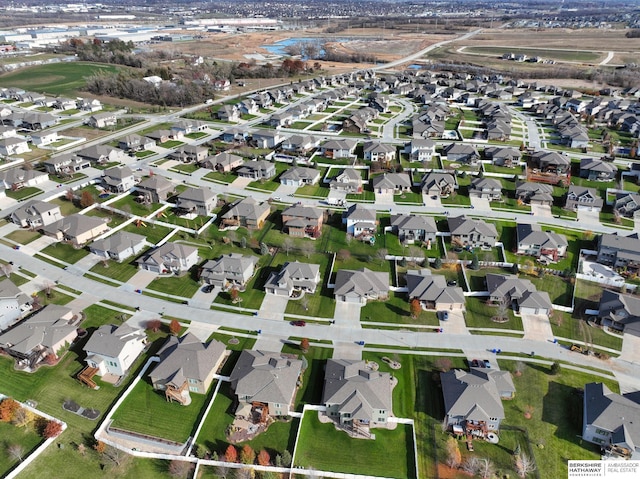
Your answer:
<point x="42" y="334"/>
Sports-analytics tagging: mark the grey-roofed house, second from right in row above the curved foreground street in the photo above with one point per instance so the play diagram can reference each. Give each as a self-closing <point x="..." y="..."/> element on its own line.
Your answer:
<point x="521" y="294"/>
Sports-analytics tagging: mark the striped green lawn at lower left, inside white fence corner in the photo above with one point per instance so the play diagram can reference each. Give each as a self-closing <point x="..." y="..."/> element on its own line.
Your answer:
<point x="143" y="406"/>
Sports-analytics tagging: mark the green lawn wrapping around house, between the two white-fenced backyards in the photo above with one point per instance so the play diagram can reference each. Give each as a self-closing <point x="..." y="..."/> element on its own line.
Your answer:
<point x="278" y="438"/>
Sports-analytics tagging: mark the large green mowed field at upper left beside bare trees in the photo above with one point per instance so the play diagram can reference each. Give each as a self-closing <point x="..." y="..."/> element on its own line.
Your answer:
<point x="57" y="78"/>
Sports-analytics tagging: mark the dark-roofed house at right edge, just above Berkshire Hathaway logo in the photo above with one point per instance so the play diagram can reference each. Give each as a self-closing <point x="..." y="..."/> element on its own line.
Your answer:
<point x="612" y="421"/>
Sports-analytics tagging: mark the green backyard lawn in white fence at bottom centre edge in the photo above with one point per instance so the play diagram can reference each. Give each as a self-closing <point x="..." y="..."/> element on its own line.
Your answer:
<point x="323" y="448"/>
